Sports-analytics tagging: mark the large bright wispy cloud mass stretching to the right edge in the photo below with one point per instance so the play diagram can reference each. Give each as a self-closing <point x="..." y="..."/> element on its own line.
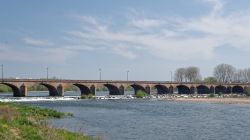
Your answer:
<point x="170" y="38"/>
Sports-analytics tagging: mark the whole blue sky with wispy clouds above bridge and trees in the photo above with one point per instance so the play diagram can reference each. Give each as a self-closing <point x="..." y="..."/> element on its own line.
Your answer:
<point x="148" y="38"/>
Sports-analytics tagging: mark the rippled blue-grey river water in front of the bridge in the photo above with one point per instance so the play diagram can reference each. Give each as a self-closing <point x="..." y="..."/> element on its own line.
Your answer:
<point x="150" y="119"/>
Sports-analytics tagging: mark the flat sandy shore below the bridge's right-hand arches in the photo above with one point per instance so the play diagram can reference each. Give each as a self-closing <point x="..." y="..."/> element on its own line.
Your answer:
<point x="216" y="100"/>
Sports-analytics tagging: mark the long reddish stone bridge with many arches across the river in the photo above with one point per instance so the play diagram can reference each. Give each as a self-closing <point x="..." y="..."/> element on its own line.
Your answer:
<point x="56" y="87"/>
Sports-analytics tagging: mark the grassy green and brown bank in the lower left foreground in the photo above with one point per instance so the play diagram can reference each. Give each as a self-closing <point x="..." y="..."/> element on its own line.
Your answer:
<point x="22" y="122"/>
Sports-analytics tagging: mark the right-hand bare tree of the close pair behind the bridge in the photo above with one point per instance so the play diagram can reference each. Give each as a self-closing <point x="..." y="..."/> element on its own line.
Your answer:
<point x="192" y="74"/>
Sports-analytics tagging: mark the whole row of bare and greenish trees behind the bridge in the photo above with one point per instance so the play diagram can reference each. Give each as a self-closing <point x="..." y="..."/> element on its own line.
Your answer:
<point x="224" y="73"/>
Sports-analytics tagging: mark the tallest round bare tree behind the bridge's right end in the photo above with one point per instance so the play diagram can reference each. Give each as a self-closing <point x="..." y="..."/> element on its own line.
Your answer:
<point x="224" y="73"/>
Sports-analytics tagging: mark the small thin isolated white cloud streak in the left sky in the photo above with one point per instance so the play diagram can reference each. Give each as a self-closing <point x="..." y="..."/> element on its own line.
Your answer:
<point x="36" y="42"/>
